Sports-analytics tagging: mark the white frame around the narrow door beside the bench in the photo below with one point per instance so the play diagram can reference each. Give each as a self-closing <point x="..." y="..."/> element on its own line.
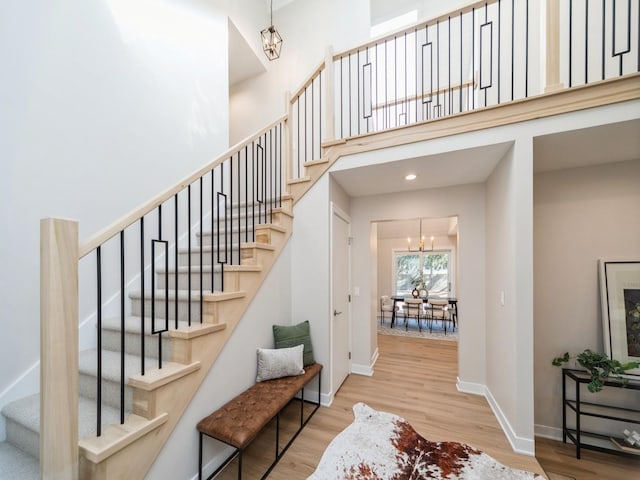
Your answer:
<point x="337" y="211"/>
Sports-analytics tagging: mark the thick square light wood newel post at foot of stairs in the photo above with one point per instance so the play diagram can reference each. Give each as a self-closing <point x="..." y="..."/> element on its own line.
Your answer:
<point x="58" y="349"/>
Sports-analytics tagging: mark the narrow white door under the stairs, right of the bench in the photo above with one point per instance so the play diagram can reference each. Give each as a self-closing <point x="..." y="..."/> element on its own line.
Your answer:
<point x="340" y="297"/>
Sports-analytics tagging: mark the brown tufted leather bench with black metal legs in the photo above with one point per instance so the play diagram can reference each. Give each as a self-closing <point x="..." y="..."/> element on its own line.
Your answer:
<point x="240" y="420"/>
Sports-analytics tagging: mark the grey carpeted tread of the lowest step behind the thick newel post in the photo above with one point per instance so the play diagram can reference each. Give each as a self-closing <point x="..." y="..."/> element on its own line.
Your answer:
<point x="26" y="412"/>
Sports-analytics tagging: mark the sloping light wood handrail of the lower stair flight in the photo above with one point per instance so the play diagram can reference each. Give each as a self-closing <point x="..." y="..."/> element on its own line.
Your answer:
<point x="133" y="216"/>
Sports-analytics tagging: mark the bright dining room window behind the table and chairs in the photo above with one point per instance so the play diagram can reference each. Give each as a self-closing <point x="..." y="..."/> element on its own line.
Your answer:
<point x="435" y="268"/>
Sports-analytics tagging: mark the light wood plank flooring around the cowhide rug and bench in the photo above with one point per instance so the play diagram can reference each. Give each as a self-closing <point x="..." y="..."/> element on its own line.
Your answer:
<point x="416" y="379"/>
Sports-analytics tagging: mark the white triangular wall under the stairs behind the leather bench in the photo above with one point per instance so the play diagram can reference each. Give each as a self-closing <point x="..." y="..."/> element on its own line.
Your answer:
<point x="234" y="371"/>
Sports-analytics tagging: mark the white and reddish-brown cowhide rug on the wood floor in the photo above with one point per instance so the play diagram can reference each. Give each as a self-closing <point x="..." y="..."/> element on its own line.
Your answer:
<point x="383" y="446"/>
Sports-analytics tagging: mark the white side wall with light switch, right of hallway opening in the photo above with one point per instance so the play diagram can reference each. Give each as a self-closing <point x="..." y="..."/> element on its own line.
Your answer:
<point x="509" y="277"/>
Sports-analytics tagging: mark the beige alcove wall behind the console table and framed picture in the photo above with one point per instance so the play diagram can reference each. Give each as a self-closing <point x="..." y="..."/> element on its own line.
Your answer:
<point x="580" y="216"/>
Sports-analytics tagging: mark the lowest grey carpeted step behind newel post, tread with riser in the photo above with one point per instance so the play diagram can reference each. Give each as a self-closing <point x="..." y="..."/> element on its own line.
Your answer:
<point x="23" y="421"/>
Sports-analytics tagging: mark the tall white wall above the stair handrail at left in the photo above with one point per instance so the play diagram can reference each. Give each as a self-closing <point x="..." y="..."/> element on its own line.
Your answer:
<point x="104" y="104"/>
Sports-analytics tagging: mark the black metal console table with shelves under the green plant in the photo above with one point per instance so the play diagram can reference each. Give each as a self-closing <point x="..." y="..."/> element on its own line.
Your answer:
<point x="601" y="442"/>
